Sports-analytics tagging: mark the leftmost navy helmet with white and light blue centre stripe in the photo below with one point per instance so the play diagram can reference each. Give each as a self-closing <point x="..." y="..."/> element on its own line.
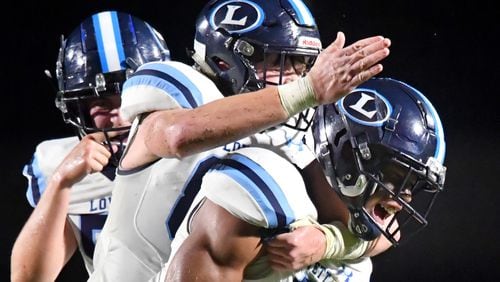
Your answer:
<point x="95" y="60"/>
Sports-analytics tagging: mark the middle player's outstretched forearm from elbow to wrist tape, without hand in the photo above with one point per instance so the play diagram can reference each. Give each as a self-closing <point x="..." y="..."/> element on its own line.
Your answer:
<point x="178" y="133"/>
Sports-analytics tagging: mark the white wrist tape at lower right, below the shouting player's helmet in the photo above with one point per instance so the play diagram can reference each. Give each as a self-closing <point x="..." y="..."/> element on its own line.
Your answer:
<point x="341" y="244"/>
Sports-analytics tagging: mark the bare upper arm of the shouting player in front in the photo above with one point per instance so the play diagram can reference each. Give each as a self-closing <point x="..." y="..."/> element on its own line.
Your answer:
<point x="218" y="248"/>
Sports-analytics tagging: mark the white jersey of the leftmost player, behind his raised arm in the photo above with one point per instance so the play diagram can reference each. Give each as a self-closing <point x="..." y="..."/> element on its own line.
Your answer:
<point x="89" y="198"/>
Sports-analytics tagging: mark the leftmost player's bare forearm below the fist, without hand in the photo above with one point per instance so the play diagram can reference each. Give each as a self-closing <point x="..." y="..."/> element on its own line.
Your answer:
<point x="41" y="249"/>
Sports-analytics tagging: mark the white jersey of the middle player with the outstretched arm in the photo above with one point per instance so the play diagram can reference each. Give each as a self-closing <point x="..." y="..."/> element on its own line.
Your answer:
<point x="150" y="202"/>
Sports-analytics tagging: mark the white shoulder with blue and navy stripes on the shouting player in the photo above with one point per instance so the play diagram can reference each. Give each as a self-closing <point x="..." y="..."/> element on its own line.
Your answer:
<point x="260" y="187"/>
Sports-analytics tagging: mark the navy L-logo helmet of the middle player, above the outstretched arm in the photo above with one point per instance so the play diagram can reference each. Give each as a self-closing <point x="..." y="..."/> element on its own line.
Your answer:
<point x="232" y="36"/>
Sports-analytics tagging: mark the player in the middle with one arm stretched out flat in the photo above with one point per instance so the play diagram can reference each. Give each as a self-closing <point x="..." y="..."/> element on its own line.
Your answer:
<point x="179" y="113"/>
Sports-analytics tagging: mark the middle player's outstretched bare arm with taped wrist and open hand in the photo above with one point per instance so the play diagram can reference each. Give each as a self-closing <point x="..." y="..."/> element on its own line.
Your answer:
<point x="338" y="70"/>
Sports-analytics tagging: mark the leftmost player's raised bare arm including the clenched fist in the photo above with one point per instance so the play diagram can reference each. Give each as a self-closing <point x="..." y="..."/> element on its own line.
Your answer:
<point x="46" y="241"/>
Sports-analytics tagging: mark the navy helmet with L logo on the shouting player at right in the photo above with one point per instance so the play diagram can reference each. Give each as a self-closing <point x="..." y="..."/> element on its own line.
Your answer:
<point x="385" y="131"/>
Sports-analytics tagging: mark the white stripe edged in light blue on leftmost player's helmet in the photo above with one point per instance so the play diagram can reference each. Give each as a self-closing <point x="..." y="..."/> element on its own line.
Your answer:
<point x="109" y="41"/>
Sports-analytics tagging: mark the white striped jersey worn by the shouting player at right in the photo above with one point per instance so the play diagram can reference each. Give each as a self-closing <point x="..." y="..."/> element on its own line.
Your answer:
<point x="260" y="187"/>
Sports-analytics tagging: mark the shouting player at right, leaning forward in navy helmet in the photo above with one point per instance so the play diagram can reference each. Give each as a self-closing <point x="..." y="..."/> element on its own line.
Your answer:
<point x="382" y="149"/>
